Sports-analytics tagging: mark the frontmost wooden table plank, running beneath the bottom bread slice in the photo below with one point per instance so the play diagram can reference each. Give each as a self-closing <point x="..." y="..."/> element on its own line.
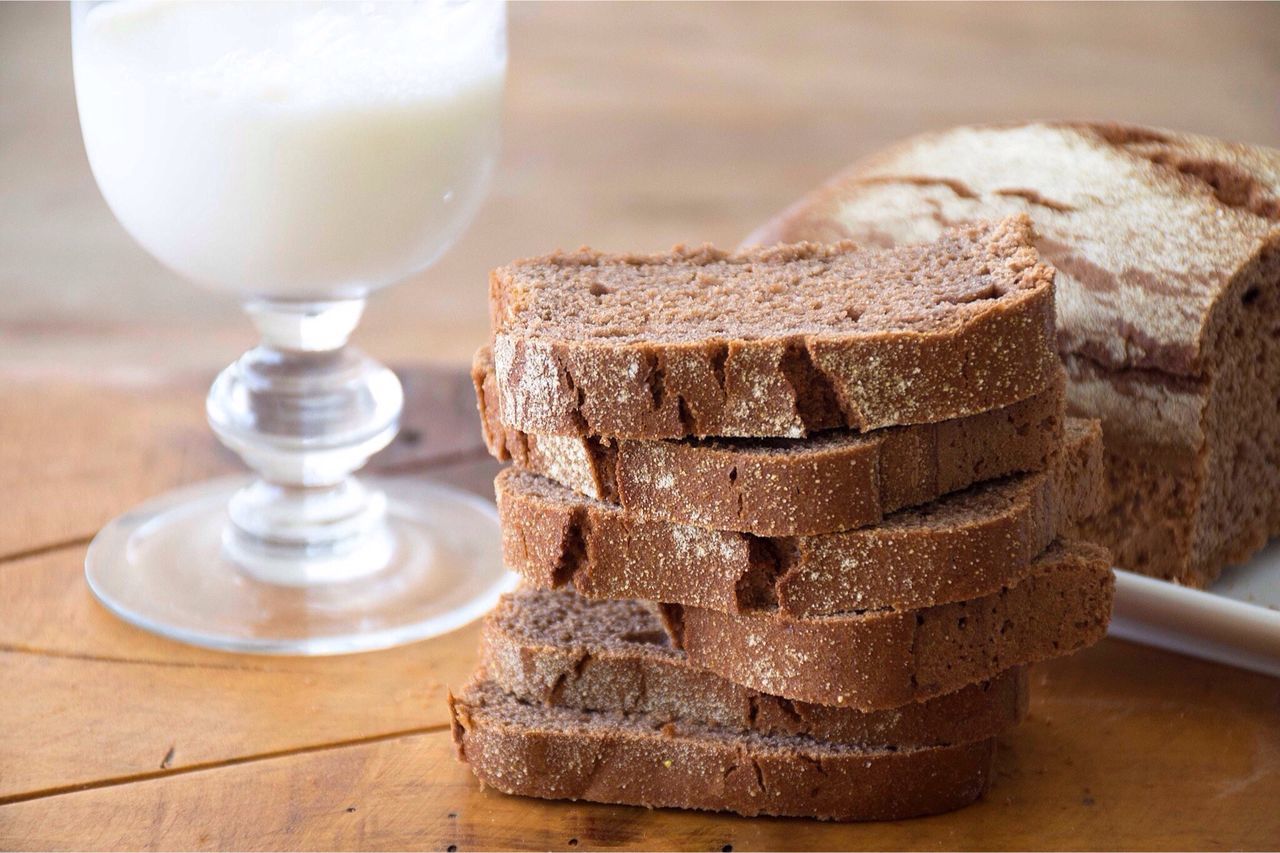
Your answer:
<point x="1126" y="749"/>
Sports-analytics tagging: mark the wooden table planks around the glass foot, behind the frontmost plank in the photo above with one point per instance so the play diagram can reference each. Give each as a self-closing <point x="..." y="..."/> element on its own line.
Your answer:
<point x="156" y="703"/>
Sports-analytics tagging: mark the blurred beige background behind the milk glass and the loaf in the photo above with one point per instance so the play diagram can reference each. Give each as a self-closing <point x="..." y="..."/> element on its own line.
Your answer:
<point x="628" y="127"/>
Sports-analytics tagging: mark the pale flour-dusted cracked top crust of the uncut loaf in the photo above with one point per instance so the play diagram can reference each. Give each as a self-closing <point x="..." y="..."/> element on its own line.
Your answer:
<point x="1132" y="297"/>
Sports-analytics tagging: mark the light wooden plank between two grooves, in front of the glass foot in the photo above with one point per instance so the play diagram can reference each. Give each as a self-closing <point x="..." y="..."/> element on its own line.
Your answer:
<point x="104" y="701"/>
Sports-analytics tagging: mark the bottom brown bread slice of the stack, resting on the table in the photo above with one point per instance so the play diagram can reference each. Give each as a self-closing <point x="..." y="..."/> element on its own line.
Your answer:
<point x="641" y="760"/>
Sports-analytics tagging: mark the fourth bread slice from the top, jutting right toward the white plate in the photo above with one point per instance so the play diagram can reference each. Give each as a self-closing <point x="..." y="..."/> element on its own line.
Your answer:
<point x="1060" y="603"/>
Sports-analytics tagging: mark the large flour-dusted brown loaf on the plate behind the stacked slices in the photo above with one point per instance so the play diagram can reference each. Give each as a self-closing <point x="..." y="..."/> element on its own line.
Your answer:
<point x="1168" y="249"/>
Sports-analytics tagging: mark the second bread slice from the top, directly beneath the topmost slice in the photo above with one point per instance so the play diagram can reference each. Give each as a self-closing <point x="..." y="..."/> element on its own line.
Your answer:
<point x="834" y="481"/>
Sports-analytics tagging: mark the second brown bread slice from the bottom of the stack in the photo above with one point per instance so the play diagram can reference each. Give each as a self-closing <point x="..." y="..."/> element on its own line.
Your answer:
<point x="560" y="649"/>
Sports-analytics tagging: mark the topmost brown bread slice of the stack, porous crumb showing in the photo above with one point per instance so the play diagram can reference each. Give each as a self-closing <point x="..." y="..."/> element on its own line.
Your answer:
<point x="774" y="343"/>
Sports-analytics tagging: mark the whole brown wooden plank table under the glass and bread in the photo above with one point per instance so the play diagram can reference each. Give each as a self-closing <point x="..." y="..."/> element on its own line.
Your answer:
<point x="118" y="740"/>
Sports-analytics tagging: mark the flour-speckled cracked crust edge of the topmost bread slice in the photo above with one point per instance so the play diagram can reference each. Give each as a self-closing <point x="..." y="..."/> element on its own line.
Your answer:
<point x="781" y="385"/>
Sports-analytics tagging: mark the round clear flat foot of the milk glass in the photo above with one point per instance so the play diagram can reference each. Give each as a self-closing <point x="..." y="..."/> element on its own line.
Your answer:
<point x="163" y="568"/>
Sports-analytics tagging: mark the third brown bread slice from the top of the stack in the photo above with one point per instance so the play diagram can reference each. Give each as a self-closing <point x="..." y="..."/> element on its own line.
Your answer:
<point x="962" y="546"/>
